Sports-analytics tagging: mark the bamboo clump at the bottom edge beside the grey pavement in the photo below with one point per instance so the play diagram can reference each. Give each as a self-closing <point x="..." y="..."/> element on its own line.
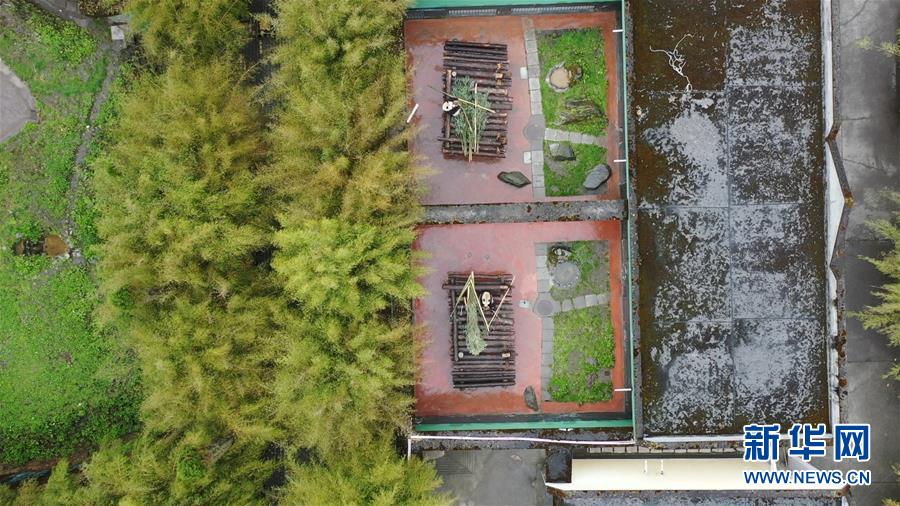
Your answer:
<point x="375" y="477"/>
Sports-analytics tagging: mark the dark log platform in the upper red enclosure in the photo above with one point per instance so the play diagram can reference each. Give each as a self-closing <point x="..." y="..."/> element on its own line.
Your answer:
<point x="487" y="65"/>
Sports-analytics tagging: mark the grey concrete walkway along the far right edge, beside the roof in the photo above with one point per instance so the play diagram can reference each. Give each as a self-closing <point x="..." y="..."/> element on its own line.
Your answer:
<point x="871" y="153"/>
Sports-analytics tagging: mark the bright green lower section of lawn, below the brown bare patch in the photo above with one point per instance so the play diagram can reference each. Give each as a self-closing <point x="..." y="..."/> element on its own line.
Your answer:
<point x="62" y="383"/>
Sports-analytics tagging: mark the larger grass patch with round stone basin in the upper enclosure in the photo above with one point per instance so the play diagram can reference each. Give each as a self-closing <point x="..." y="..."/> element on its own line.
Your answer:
<point x="583" y="47"/>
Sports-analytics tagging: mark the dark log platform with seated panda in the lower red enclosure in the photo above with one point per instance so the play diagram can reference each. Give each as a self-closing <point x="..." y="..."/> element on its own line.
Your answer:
<point x="496" y="365"/>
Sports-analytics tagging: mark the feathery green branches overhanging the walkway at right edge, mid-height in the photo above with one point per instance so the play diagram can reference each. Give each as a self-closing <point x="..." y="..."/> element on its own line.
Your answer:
<point x="885" y="317"/>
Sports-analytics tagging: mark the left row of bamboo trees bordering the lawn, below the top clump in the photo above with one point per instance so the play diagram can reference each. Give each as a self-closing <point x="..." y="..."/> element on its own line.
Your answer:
<point x="183" y="218"/>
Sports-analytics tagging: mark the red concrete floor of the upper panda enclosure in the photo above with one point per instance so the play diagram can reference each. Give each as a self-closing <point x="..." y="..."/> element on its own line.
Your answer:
<point x="453" y="180"/>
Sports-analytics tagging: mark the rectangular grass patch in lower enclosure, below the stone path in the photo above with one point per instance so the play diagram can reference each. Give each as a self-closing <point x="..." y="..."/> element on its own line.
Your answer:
<point x="583" y="347"/>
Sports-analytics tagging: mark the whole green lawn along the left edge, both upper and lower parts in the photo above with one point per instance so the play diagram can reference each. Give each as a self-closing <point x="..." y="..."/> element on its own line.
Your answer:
<point x="62" y="381"/>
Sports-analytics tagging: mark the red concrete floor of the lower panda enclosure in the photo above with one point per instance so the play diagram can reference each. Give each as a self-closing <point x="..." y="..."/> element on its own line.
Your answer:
<point x="494" y="248"/>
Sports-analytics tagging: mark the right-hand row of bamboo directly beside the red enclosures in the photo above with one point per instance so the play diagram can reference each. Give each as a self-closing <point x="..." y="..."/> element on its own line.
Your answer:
<point x="347" y="200"/>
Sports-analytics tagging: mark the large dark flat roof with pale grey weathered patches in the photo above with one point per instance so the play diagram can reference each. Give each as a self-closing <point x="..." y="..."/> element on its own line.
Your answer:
<point x="731" y="229"/>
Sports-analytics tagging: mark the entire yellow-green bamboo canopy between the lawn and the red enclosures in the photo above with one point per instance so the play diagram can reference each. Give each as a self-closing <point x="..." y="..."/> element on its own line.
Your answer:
<point x="263" y="272"/>
